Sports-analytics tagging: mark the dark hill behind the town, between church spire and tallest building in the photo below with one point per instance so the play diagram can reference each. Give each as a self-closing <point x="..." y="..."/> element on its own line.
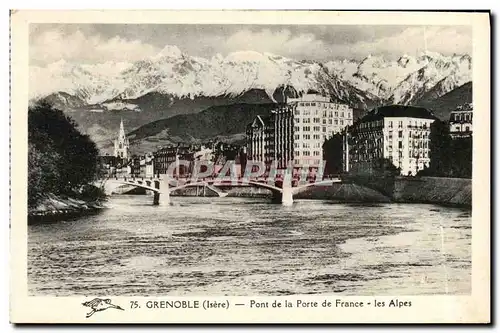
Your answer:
<point x="225" y="122"/>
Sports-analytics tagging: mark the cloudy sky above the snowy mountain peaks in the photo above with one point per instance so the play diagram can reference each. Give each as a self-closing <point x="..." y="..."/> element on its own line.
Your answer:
<point x="97" y="43"/>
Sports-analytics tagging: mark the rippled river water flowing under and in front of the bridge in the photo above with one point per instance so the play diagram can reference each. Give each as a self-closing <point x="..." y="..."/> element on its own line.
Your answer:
<point x="242" y="246"/>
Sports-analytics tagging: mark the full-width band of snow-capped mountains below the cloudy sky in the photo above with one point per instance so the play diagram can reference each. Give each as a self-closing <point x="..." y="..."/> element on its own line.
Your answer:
<point x="359" y="83"/>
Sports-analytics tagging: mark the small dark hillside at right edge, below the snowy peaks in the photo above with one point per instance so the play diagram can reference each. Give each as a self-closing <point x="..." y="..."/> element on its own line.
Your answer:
<point x="442" y="106"/>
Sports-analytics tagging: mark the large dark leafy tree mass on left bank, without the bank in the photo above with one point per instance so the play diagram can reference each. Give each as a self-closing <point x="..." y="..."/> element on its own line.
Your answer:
<point x="60" y="158"/>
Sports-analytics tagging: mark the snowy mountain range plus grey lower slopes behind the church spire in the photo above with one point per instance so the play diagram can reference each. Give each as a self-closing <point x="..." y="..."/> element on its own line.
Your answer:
<point x="173" y="83"/>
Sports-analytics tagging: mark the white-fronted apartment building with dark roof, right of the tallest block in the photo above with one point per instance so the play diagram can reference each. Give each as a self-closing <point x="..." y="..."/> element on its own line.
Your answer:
<point x="397" y="133"/>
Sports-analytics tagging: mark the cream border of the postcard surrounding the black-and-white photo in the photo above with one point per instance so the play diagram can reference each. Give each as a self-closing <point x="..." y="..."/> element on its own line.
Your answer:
<point x="426" y="309"/>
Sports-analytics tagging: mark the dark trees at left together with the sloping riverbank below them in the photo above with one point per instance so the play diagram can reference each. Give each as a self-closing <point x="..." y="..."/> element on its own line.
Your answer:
<point x="62" y="163"/>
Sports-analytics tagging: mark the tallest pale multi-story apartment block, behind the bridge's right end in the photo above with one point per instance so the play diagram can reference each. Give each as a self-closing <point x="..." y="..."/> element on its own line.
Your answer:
<point x="296" y="131"/>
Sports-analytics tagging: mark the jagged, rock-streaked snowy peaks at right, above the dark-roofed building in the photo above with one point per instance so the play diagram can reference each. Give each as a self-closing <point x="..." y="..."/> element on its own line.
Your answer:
<point x="407" y="79"/>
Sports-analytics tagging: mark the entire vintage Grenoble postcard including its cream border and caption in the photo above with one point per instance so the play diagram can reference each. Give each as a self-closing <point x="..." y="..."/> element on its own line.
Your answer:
<point x="250" y="167"/>
